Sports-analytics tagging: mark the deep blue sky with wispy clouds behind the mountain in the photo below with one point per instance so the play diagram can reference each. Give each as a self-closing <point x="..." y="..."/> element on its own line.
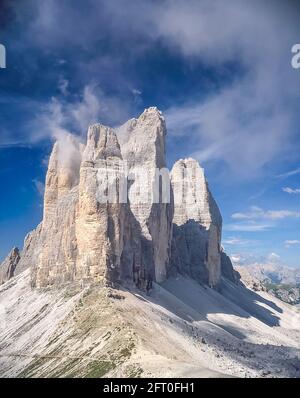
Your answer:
<point x="221" y="73"/>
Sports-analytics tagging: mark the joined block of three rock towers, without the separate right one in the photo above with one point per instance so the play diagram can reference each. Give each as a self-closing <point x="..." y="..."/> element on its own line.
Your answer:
<point x="88" y="238"/>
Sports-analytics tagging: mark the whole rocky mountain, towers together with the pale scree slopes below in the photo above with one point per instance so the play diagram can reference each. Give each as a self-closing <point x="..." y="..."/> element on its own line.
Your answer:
<point x="107" y="287"/>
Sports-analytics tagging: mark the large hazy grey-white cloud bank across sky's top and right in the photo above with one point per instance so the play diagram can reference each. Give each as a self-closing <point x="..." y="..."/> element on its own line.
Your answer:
<point x="245" y="123"/>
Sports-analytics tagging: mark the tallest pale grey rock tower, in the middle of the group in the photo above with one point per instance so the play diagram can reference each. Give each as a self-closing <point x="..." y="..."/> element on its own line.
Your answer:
<point x="143" y="148"/>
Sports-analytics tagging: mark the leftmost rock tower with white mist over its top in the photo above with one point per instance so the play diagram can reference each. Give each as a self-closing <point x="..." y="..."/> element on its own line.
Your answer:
<point x="56" y="250"/>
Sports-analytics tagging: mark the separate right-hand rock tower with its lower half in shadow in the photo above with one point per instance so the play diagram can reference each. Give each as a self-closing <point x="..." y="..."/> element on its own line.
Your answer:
<point x="197" y="224"/>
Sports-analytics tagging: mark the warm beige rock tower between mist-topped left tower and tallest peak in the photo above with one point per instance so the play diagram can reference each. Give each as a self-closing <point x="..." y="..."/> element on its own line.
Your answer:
<point x="99" y="223"/>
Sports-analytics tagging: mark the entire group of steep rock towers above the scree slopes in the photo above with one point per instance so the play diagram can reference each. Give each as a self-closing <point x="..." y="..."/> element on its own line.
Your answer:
<point x="109" y="214"/>
